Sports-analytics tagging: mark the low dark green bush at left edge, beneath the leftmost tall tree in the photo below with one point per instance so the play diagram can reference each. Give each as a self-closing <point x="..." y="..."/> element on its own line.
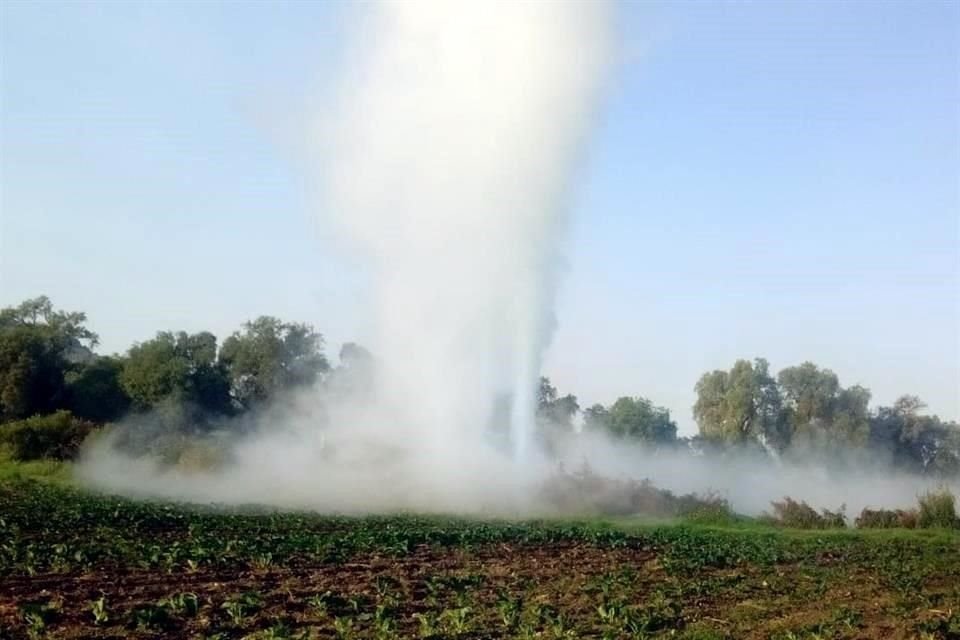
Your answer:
<point x="56" y="436"/>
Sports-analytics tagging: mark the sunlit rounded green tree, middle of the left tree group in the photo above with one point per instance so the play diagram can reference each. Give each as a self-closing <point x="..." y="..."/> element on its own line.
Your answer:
<point x="177" y="367"/>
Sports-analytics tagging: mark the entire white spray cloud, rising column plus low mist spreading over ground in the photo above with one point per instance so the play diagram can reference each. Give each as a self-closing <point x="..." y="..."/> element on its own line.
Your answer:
<point x="444" y="160"/>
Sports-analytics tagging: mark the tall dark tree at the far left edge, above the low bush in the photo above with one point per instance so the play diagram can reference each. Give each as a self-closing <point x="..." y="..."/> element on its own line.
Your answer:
<point x="38" y="346"/>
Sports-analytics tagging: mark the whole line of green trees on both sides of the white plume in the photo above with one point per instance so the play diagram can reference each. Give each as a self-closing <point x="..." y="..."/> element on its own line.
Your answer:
<point x="48" y="364"/>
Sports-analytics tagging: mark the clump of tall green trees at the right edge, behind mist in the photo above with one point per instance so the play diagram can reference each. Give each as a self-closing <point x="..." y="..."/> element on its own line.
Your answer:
<point x="807" y="415"/>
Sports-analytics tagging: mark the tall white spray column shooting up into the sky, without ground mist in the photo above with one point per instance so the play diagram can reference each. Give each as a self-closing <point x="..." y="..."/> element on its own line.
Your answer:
<point x="447" y="158"/>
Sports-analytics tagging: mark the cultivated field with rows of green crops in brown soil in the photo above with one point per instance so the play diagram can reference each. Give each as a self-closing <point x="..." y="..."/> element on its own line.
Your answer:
<point x="75" y="565"/>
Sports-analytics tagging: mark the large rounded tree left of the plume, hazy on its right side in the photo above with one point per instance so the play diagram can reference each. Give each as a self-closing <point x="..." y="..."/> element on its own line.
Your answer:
<point x="270" y="356"/>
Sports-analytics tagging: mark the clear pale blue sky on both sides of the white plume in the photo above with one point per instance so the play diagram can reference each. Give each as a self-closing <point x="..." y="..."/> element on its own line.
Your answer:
<point x="777" y="179"/>
